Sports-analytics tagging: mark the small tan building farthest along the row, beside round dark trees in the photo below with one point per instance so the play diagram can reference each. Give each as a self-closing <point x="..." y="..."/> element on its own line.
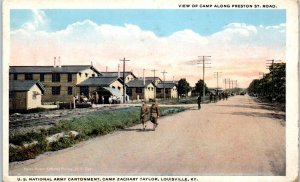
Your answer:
<point x="170" y="90"/>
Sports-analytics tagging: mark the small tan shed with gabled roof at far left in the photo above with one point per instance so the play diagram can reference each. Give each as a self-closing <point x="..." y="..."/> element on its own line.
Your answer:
<point x="25" y="94"/>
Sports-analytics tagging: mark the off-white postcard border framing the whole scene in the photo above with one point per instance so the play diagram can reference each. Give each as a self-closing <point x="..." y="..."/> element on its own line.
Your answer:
<point x="292" y="106"/>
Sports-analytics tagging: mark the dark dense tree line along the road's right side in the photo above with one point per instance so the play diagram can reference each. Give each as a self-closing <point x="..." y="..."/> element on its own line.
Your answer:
<point x="273" y="84"/>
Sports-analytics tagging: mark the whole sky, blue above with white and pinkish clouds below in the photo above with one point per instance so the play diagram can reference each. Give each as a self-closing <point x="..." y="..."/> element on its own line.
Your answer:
<point x="238" y="41"/>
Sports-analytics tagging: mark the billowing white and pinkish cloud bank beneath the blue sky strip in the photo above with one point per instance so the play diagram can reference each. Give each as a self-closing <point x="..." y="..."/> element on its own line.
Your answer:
<point x="238" y="50"/>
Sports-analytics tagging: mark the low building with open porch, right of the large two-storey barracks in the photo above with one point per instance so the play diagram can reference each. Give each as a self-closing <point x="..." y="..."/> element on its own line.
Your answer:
<point x="104" y="86"/>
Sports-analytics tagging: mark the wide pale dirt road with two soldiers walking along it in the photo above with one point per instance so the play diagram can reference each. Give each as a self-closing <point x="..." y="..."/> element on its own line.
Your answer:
<point x="233" y="137"/>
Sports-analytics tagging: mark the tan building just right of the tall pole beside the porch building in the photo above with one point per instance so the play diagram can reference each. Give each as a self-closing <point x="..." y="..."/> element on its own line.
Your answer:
<point x="140" y="89"/>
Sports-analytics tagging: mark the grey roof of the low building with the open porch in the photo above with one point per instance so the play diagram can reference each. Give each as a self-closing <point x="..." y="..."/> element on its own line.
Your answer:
<point x="103" y="81"/>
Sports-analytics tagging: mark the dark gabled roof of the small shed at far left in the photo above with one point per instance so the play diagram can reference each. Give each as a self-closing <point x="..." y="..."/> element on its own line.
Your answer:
<point x="24" y="85"/>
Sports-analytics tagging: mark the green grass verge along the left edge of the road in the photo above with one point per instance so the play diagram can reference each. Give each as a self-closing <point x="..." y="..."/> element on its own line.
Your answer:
<point x="95" y="124"/>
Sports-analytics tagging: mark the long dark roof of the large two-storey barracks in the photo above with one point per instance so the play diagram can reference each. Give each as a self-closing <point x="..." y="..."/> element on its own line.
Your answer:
<point x="51" y="69"/>
